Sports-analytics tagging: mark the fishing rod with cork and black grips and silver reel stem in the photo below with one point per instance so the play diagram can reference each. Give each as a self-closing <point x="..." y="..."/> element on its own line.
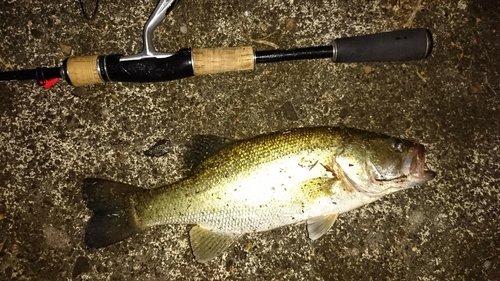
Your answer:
<point x="153" y="66"/>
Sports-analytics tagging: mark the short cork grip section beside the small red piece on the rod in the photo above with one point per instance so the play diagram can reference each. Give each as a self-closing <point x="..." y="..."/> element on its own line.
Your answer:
<point x="83" y="71"/>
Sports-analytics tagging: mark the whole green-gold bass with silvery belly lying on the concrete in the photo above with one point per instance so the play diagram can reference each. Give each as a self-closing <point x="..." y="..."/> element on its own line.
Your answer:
<point x="305" y="175"/>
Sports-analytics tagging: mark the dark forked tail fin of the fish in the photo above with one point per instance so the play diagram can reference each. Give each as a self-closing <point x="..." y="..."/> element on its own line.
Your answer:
<point x="114" y="218"/>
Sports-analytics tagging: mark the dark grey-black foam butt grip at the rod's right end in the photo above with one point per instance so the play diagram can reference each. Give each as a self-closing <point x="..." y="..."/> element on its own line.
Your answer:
<point x="400" y="45"/>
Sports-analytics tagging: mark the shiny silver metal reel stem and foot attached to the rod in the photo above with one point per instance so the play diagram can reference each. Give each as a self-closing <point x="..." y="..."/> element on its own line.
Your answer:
<point x="148" y="50"/>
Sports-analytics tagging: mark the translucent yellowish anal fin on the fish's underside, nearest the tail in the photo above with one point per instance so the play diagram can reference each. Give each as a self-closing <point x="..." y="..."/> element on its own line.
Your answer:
<point x="207" y="243"/>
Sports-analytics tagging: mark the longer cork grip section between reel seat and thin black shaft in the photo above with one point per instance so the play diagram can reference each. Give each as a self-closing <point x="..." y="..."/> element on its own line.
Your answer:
<point x="209" y="61"/>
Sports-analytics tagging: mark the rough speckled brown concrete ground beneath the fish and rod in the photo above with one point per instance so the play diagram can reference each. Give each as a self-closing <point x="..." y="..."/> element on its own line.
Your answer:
<point x="447" y="229"/>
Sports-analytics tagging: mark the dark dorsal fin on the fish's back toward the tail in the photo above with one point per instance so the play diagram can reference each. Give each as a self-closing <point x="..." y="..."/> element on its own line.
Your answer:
<point x="202" y="147"/>
